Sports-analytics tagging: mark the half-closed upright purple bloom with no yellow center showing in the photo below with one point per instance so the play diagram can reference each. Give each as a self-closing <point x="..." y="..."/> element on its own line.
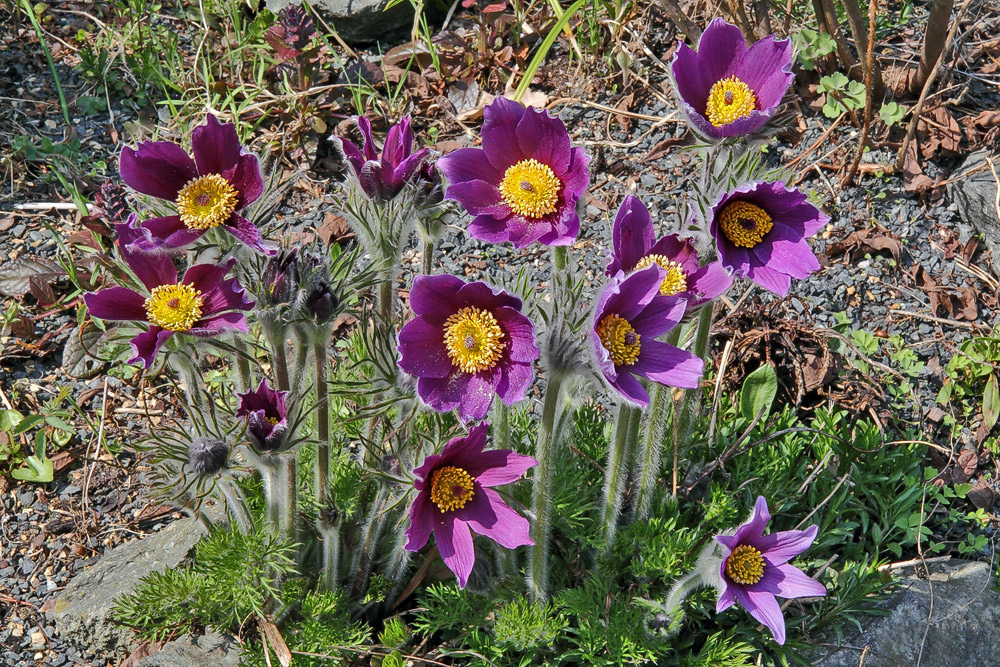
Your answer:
<point x="382" y="178"/>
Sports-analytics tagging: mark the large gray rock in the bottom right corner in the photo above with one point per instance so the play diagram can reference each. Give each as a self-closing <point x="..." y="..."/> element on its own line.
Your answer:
<point x="961" y="628"/>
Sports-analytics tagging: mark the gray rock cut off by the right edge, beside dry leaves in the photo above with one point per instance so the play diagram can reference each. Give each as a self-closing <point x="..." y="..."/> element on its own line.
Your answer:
<point x="974" y="189"/>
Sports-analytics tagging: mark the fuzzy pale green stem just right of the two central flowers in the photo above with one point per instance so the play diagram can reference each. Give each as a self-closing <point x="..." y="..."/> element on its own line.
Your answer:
<point x="538" y="567"/>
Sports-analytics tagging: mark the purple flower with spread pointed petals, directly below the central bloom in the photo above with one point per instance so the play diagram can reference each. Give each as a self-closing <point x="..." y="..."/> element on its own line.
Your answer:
<point x="456" y="496"/>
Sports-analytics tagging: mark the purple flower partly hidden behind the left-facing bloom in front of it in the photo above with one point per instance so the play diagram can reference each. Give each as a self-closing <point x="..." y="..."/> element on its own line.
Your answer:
<point x="635" y="249"/>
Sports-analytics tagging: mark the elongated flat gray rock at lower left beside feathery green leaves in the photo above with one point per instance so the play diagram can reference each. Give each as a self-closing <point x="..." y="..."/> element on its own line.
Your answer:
<point x="81" y="612"/>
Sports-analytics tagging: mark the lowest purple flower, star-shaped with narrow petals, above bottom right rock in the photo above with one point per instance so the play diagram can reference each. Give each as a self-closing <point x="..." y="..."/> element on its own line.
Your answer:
<point x="755" y="569"/>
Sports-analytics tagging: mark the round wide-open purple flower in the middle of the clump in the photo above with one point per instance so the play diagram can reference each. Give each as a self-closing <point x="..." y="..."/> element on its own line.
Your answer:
<point x="467" y="343"/>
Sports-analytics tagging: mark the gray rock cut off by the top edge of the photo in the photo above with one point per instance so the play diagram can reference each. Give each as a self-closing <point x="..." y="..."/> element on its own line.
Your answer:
<point x="358" y="20"/>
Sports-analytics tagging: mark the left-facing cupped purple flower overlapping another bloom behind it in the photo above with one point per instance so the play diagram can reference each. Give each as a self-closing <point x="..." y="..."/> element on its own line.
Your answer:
<point x="629" y="316"/>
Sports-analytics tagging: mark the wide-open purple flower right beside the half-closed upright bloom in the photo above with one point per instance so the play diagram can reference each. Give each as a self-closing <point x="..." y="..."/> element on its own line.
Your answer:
<point x="524" y="183"/>
